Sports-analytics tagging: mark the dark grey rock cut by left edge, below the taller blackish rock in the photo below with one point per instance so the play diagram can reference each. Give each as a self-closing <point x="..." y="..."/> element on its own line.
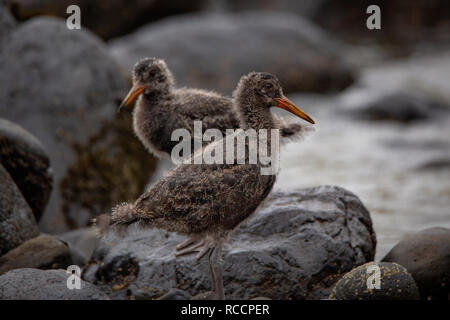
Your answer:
<point x="17" y="223"/>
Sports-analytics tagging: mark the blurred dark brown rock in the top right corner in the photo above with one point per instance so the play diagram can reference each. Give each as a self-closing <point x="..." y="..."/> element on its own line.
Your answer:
<point x="402" y="23"/>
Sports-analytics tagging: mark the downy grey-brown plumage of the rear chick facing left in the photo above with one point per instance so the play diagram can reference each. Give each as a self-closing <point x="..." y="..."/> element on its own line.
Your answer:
<point x="163" y="108"/>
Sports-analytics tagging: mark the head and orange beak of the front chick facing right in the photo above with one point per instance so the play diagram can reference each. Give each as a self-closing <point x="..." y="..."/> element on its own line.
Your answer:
<point x="264" y="89"/>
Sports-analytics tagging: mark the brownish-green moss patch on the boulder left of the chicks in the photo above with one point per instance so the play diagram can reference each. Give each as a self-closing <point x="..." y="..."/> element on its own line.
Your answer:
<point x="110" y="168"/>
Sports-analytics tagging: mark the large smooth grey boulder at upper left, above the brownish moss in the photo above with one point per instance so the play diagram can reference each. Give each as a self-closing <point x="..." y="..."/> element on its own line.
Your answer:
<point x="60" y="85"/>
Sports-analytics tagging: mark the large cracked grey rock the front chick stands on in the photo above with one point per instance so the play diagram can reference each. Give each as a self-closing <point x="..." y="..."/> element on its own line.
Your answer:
<point x="296" y="246"/>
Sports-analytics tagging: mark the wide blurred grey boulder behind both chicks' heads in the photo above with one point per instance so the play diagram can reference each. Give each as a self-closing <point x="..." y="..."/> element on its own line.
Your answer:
<point x="214" y="50"/>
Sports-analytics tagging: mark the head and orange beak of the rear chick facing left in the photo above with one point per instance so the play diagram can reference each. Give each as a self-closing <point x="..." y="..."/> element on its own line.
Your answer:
<point x="150" y="75"/>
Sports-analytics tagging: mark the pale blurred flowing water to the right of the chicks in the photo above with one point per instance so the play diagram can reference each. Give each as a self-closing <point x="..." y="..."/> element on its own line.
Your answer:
<point x="381" y="162"/>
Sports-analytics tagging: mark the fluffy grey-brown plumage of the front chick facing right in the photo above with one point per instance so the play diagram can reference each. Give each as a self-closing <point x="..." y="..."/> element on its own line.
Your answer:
<point x="205" y="198"/>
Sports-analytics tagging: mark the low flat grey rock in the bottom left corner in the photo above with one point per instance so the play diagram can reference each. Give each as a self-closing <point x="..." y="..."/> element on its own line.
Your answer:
<point x="35" y="284"/>
